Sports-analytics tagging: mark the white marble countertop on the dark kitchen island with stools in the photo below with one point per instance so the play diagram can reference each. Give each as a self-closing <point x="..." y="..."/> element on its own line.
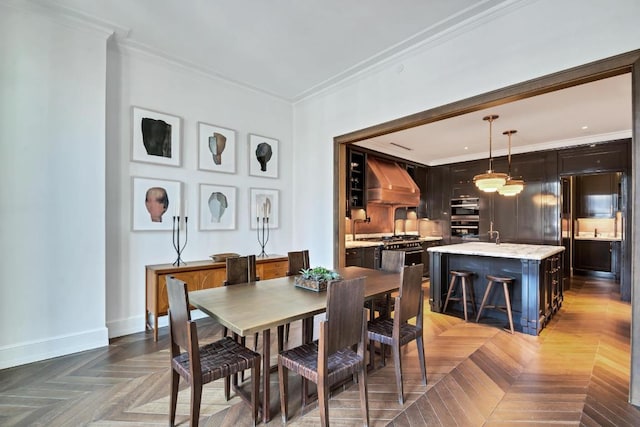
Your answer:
<point x="503" y="250"/>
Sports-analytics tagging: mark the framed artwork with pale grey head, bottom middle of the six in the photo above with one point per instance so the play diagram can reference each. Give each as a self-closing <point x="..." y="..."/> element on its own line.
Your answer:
<point x="217" y="207"/>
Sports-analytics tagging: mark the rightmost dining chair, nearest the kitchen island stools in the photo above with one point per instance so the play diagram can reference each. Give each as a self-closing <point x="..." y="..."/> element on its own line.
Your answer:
<point x="397" y="332"/>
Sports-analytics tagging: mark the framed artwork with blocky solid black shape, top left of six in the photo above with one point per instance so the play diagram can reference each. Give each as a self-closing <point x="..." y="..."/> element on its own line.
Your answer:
<point x="155" y="137"/>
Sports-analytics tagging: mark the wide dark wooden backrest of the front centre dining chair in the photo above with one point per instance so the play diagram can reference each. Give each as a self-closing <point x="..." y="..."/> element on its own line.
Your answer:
<point x="345" y="299"/>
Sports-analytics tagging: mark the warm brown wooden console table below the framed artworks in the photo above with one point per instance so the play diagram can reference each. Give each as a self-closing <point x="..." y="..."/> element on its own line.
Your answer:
<point x="198" y="275"/>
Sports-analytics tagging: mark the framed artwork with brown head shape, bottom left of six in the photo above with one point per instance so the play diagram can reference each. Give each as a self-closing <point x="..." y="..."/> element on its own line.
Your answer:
<point x="154" y="203"/>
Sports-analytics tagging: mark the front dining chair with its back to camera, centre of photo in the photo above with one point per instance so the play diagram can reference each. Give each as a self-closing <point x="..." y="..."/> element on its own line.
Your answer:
<point x="332" y="358"/>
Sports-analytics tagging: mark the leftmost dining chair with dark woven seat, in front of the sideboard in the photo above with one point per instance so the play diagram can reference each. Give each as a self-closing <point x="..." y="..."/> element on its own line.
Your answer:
<point x="201" y="365"/>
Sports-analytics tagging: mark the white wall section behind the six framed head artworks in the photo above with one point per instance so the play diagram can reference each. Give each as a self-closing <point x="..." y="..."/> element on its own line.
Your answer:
<point x="136" y="79"/>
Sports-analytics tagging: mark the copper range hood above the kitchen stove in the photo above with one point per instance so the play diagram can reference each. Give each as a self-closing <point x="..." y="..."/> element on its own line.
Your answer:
<point x="389" y="183"/>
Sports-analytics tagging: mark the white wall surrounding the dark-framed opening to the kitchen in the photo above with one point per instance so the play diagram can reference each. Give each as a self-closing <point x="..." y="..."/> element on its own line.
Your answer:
<point x="529" y="40"/>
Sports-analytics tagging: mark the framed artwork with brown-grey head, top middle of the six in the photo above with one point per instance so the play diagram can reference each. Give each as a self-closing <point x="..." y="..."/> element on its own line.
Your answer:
<point x="216" y="148"/>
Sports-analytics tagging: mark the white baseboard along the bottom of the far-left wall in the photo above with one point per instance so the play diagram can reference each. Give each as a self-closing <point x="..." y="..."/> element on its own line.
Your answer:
<point x="35" y="351"/>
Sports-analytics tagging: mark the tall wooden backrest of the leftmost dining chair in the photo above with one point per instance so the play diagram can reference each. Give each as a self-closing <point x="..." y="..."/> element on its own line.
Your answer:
<point x="179" y="314"/>
